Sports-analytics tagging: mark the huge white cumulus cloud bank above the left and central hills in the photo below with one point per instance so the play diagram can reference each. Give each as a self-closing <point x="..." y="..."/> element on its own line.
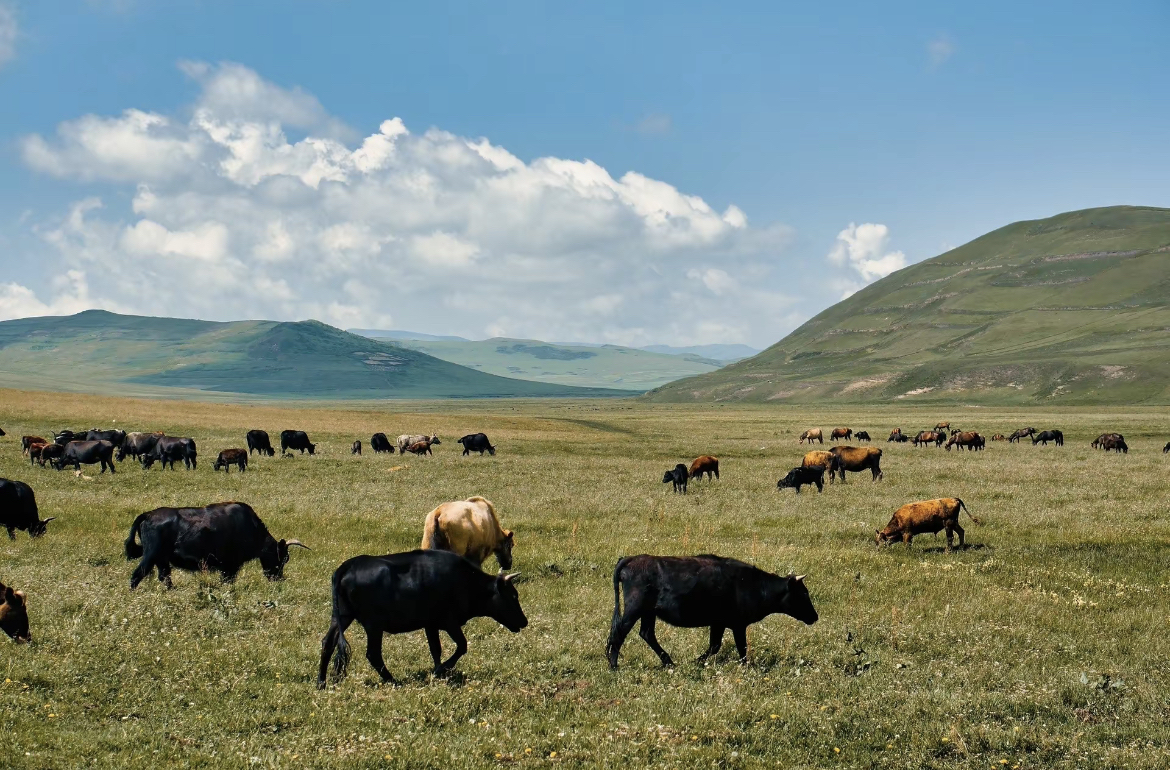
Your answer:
<point x="233" y="216"/>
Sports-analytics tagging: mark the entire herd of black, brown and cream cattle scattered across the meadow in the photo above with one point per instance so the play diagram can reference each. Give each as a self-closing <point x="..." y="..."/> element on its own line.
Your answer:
<point x="442" y="586"/>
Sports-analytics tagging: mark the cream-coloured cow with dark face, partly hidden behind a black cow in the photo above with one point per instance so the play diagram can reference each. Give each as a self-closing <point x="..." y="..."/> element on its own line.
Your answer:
<point x="470" y="528"/>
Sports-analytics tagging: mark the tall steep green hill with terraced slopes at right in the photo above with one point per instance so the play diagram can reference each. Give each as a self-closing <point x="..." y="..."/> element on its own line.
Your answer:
<point x="1072" y="310"/>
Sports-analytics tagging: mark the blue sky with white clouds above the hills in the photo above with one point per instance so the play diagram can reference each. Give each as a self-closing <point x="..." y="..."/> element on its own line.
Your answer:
<point x="609" y="173"/>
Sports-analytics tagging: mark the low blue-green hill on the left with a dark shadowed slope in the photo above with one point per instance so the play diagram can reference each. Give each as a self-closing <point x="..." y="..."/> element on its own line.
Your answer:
<point x="100" y="352"/>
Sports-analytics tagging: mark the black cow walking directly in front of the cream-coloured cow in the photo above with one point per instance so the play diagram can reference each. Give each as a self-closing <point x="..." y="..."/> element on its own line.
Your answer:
<point x="429" y="592"/>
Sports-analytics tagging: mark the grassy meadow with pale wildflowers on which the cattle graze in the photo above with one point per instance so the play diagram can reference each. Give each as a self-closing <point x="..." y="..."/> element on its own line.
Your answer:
<point x="1043" y="645"/>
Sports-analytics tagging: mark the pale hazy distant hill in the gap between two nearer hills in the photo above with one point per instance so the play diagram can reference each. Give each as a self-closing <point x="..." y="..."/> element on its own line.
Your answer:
<point x="581" y="366"/>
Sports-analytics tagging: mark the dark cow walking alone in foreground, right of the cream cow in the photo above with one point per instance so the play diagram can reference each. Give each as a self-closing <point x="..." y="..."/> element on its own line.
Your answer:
<point x="697" y="592"/>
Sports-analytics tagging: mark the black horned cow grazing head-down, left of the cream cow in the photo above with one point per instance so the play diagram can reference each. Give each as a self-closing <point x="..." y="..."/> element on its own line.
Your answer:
<point x="222" y="538"/>
